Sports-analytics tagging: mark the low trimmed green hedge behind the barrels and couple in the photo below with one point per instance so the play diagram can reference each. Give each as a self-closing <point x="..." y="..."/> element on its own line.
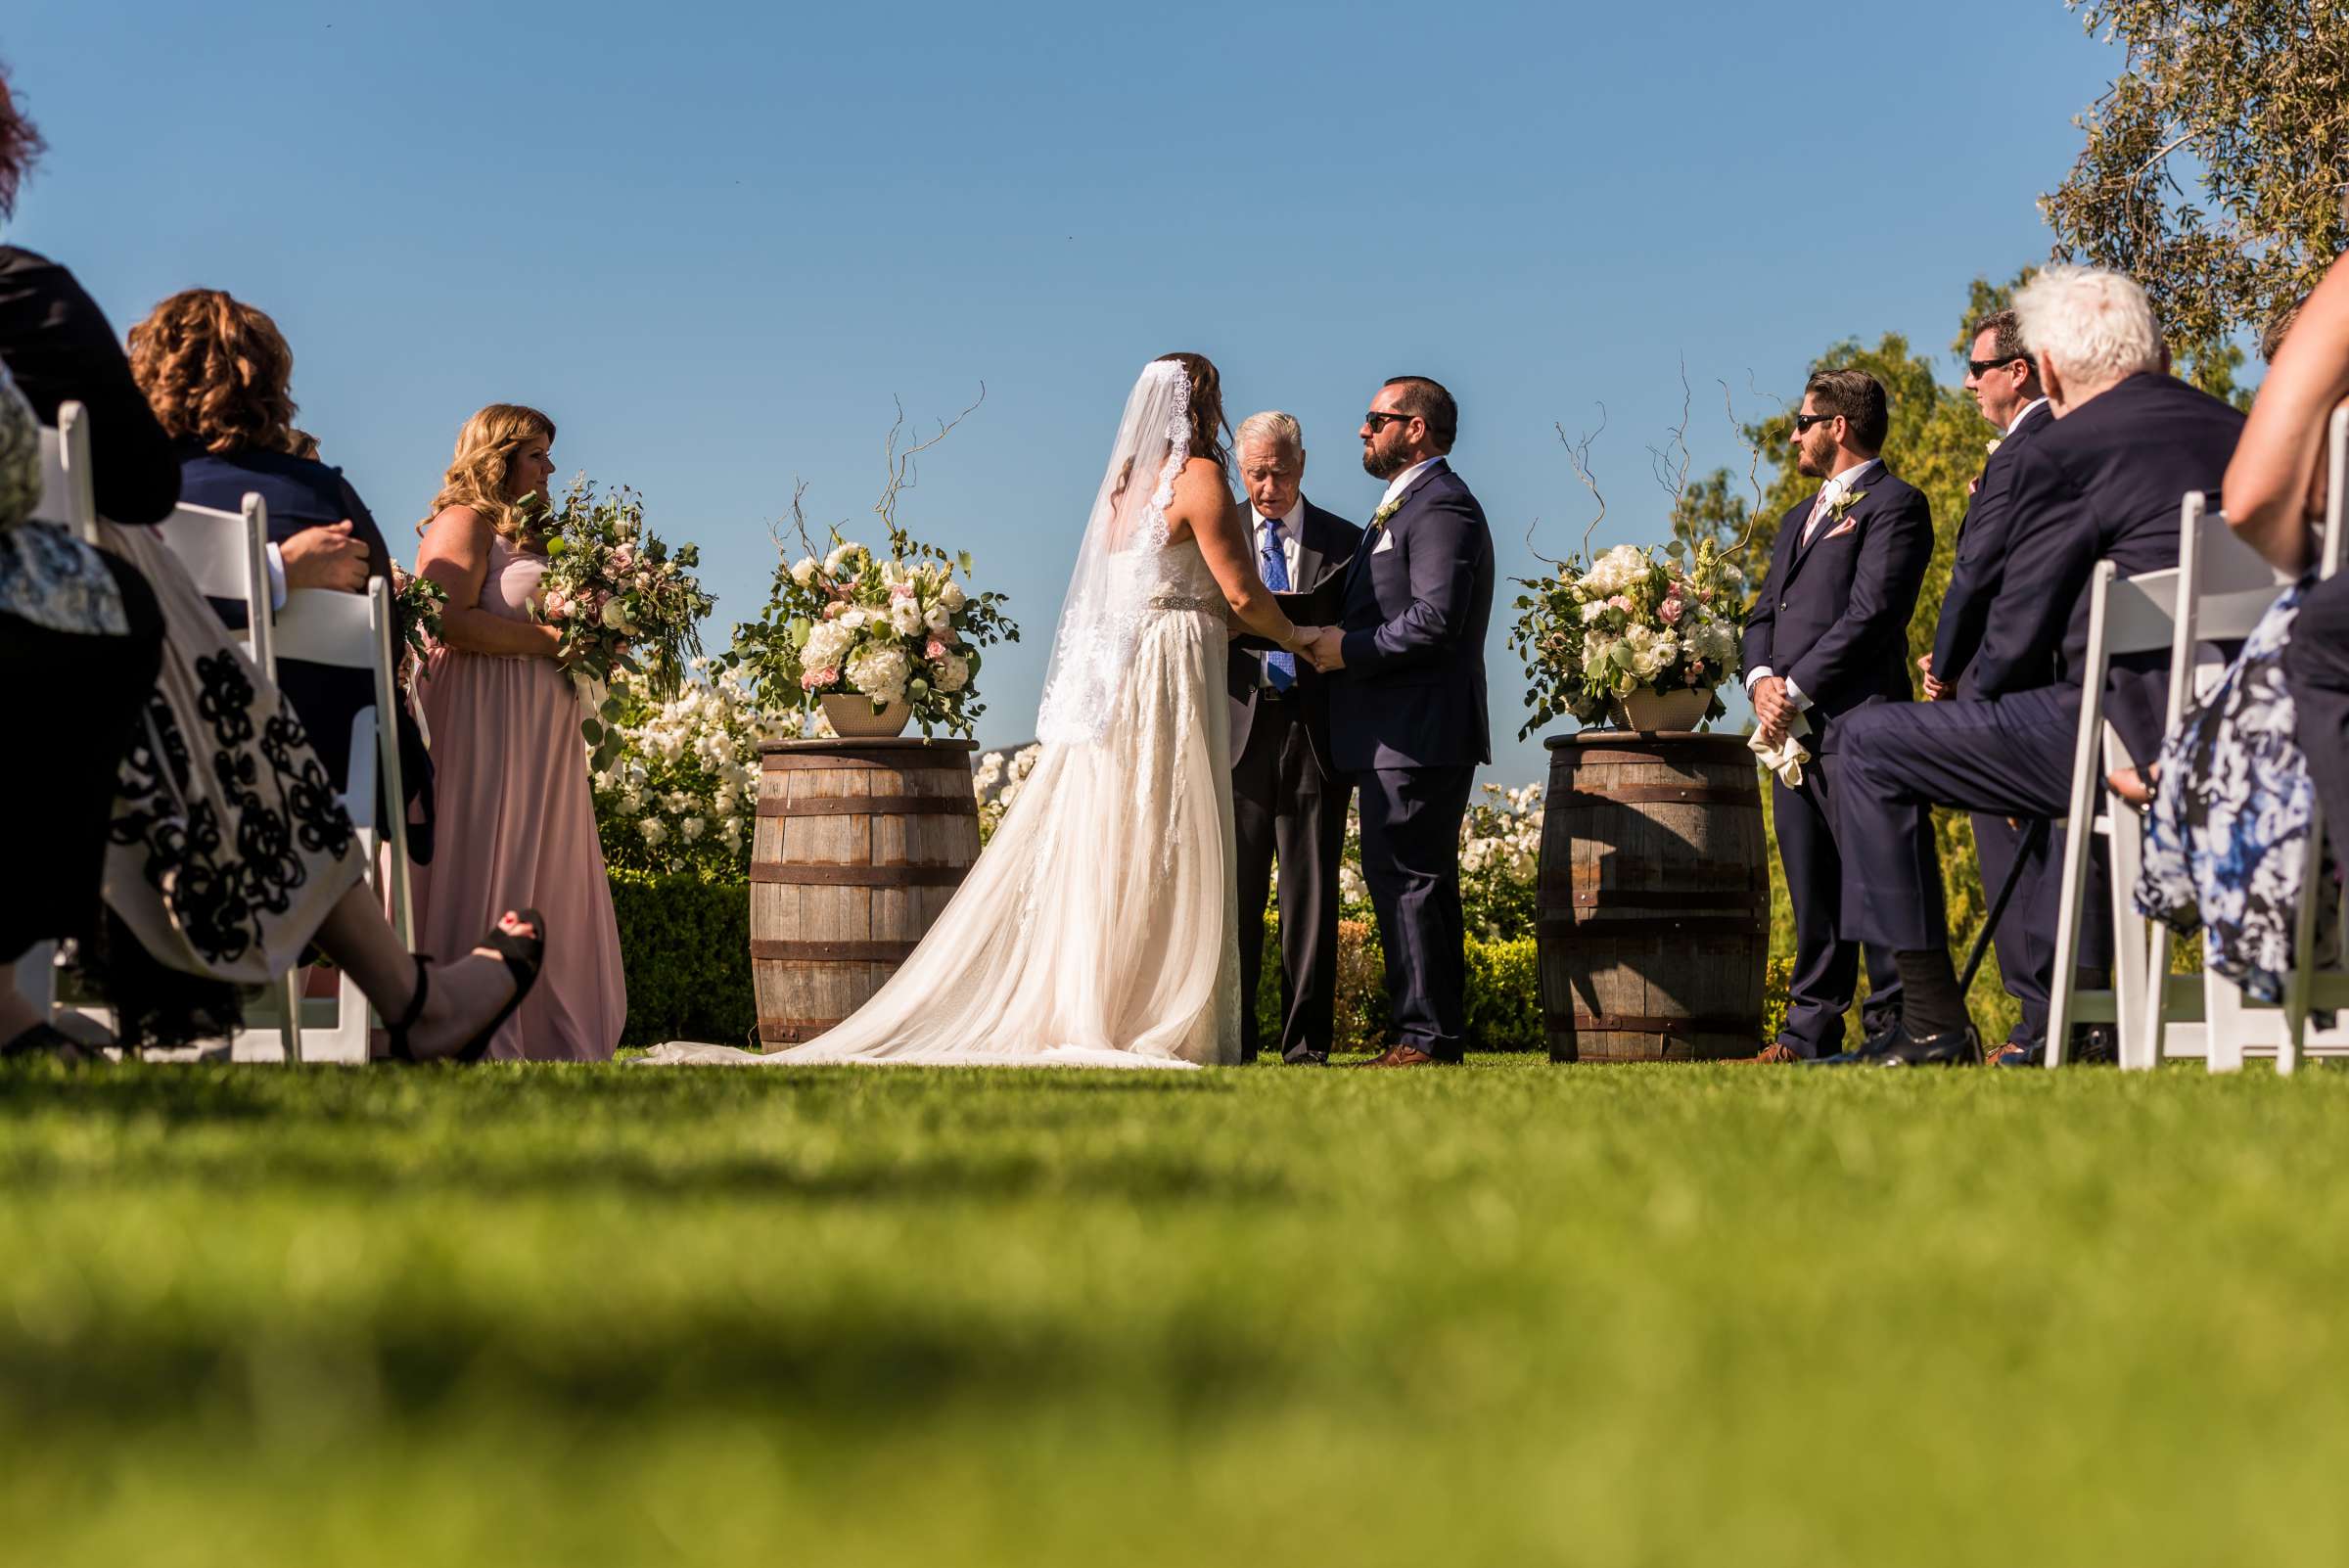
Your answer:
<point x="687" y="952"/>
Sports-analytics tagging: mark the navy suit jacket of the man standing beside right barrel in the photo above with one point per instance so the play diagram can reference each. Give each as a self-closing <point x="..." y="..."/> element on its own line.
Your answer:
<point x="1833" y="614"/>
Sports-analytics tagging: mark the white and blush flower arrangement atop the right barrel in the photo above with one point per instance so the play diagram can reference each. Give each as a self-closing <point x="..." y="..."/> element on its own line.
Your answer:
<point x="1634" y="619"/>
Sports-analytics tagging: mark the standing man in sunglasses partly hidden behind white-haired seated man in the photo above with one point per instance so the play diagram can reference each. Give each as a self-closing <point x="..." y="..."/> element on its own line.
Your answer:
<point x="2005" y="384"/>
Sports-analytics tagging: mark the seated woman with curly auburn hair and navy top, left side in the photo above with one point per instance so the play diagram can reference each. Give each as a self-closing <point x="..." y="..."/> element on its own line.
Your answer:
<point x="220" y="377"/>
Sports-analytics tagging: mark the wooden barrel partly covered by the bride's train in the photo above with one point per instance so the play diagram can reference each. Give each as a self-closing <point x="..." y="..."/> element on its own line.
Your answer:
<point x="859" y="846"/>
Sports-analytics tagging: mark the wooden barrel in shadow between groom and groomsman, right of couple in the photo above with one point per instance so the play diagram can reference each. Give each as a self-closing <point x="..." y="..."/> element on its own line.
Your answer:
<point x="1653" y="912"/>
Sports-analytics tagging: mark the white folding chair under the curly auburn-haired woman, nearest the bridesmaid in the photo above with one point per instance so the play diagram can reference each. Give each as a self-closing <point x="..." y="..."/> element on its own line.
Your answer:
<point x="351" y="633"/>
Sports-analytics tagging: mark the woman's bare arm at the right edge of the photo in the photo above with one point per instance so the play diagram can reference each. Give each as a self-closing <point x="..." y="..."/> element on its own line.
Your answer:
<point x="2275" y="464"/>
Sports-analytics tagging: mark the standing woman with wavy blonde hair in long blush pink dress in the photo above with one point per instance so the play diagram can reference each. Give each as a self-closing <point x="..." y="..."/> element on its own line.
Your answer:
<point x="513" y="806"/>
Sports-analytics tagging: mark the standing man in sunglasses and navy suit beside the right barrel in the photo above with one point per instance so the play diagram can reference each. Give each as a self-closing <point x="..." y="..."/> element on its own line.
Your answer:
<point x="1826" y="640"/>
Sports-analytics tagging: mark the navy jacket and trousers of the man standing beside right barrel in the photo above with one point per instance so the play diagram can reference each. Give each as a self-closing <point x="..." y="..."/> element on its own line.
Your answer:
<point x="1833" y="619"/>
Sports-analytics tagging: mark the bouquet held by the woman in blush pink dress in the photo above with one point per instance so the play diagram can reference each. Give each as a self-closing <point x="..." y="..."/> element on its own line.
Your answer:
<point x="621" y="600"/>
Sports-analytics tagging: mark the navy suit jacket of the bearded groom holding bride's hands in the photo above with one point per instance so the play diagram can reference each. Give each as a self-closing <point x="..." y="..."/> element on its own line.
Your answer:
<point x="1418" y="607"/>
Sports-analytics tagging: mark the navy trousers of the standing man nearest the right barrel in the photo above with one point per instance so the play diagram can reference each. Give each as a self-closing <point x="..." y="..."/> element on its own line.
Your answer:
<point x="1826" y="964"/>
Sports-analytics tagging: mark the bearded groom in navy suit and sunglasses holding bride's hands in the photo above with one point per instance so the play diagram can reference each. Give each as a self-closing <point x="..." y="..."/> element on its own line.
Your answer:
<point x="1408" y="717"/>
